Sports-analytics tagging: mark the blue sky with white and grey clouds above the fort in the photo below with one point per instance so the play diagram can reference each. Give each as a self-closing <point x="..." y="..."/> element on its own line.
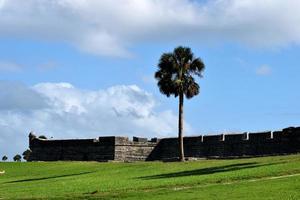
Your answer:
<point x="85" y="68"/>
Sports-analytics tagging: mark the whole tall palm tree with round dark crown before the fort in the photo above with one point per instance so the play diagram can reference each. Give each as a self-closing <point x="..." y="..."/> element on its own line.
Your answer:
<point x="175" y="77"/>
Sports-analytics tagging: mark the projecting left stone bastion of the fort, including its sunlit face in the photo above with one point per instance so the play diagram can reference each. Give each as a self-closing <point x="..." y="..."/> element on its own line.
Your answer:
<point x="100" y="149"/>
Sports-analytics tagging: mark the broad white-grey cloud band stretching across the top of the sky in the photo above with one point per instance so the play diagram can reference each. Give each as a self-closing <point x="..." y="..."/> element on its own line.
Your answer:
<point x="110" y="28"/>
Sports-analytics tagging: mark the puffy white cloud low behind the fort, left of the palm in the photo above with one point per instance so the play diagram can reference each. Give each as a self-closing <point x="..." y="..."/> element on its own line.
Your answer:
<point x="61" y="110"/>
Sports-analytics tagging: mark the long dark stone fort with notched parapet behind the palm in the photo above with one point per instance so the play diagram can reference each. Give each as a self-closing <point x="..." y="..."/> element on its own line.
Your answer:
<point x="286" y="141"/>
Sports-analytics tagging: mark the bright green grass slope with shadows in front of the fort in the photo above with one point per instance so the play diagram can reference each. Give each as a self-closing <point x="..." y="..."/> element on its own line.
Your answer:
<point x="275" y="177"/>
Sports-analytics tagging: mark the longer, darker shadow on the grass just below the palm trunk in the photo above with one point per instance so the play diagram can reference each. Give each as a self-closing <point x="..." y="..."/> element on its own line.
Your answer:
<point x="209" y="170"/>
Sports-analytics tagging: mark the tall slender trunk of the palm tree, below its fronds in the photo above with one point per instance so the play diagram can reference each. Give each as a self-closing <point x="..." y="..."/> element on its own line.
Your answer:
<point x="180" y="128"/>
